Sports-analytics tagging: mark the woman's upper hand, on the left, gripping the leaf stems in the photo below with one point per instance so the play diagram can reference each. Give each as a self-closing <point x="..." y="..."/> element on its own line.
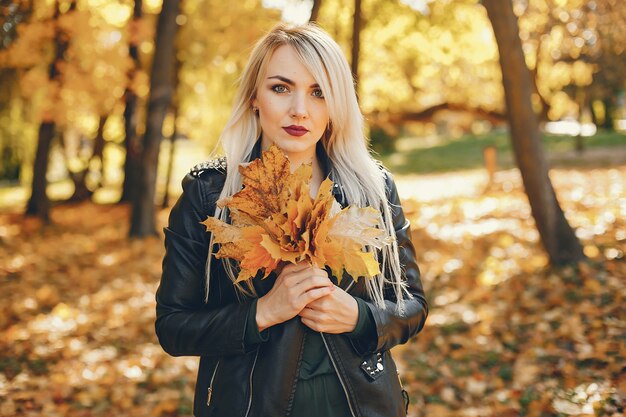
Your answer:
<point x="295" y="287"/>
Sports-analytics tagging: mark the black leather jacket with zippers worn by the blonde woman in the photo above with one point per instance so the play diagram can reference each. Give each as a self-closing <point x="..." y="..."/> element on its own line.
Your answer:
<point x="239" y="380"/>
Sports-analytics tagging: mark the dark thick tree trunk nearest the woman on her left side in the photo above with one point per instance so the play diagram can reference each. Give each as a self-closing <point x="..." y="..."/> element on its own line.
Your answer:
<point x="161" y="86"/>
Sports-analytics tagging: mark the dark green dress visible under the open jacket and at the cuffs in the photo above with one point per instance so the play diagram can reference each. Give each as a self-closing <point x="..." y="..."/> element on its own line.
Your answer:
<point x="318" y="391"/>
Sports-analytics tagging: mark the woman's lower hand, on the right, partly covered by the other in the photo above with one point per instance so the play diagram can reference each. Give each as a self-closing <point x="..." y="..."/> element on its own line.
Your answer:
<point x="335" y="313"/>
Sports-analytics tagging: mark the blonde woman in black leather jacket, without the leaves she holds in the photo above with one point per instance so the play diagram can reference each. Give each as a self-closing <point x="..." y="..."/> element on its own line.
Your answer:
<point x="295" y="343"/>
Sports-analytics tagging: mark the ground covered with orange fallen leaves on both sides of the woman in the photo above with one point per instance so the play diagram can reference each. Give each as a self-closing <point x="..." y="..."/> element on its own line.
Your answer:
<point x="506" y="336"/>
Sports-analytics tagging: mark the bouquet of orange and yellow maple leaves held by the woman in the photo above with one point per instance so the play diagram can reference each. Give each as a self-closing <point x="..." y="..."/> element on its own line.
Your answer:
<point x="274" y="220"/>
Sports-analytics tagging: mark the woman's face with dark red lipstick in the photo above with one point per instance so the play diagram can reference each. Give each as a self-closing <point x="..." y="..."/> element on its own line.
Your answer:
<point x="291" y="105"/>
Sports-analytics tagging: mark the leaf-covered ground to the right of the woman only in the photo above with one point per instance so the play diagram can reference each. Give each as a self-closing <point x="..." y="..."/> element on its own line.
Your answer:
<point x="506" y="336"/>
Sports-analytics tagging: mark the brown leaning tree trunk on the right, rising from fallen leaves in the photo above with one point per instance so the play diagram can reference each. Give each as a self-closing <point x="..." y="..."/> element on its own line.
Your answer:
<point x="557" y="236"/>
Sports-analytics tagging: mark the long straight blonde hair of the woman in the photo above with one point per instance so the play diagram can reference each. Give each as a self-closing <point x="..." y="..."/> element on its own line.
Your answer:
<point x="344" y="142"/>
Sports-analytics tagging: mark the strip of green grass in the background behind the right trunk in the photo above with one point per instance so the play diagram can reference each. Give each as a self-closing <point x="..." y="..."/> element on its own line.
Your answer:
<point x="466" y="152"/>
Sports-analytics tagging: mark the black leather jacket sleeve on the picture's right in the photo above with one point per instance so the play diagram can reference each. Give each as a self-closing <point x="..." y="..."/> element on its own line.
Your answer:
<point x="392" y="326"/>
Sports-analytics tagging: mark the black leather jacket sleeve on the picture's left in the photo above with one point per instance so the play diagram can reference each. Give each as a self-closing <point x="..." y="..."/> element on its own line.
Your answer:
<point x="185" y="325"/>
